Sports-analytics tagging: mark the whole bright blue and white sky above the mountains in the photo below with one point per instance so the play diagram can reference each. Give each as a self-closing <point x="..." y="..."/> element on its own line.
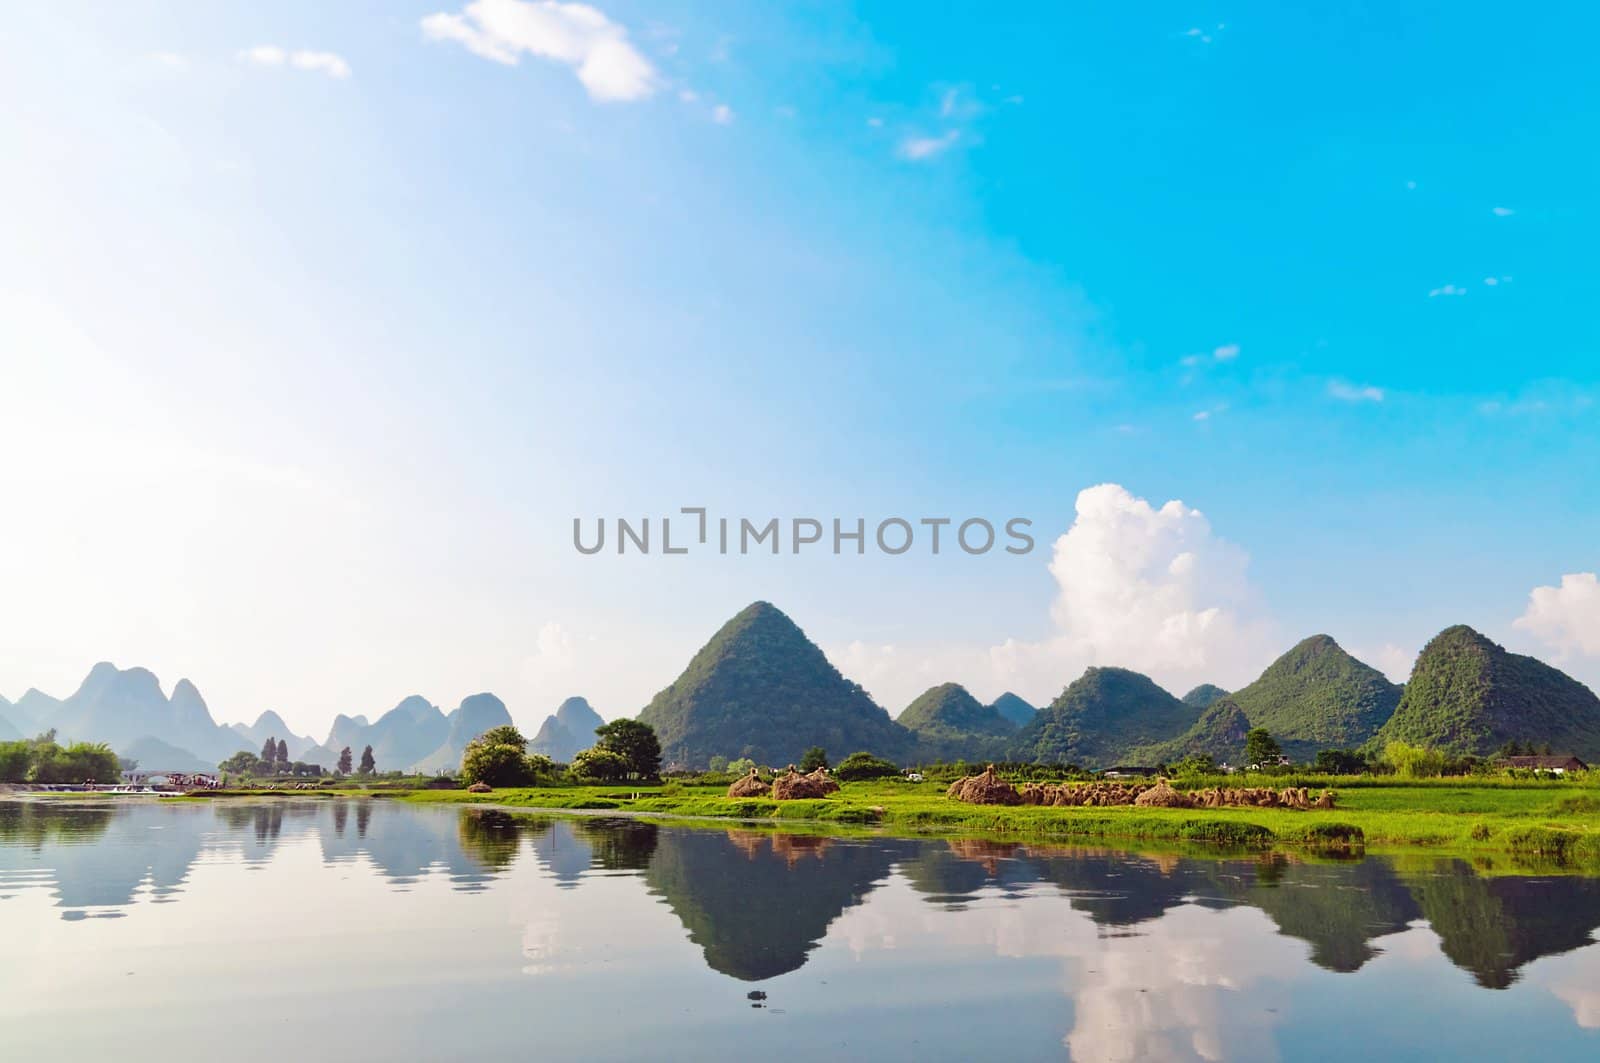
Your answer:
<point x="322" y="324"/>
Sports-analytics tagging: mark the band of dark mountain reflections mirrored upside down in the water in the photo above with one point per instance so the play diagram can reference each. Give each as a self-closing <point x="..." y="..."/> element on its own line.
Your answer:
<point x="758" y="904"/>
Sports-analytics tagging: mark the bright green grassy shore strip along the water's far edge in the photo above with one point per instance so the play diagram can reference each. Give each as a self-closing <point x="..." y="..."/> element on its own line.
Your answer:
<point x="1558" y="824"/>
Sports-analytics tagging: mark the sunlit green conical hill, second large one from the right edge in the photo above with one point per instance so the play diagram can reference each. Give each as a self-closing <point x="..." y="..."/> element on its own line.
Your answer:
<point x="1319" y="697"/>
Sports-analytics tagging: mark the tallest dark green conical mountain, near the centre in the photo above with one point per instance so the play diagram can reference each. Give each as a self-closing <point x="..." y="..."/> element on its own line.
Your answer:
<point x="761" y="689"/>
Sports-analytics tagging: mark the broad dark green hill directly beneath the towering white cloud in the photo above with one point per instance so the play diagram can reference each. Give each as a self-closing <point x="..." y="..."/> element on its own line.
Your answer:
<point x="1103" y="718"/>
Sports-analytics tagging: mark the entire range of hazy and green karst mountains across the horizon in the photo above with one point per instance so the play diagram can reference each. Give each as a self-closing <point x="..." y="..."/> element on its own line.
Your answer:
<point x="762" y="689"/>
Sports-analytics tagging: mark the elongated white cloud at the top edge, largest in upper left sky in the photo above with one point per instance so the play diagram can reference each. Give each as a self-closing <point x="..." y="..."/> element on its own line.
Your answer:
<point x="572" y="34"/>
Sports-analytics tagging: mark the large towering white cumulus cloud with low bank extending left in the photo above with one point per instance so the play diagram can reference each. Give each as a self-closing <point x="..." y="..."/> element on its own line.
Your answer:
<point x="1142" y="587"/>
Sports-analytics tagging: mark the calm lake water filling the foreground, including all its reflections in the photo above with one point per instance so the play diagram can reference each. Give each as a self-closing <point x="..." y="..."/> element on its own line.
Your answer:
<point x="388" y="933"/>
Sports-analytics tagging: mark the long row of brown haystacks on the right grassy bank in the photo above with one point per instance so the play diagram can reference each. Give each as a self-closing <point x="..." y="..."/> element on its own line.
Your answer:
<point x="991" y="790"/>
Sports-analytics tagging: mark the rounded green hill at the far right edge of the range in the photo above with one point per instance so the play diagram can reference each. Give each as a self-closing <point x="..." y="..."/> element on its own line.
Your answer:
<point x="1470" y="696"/>
